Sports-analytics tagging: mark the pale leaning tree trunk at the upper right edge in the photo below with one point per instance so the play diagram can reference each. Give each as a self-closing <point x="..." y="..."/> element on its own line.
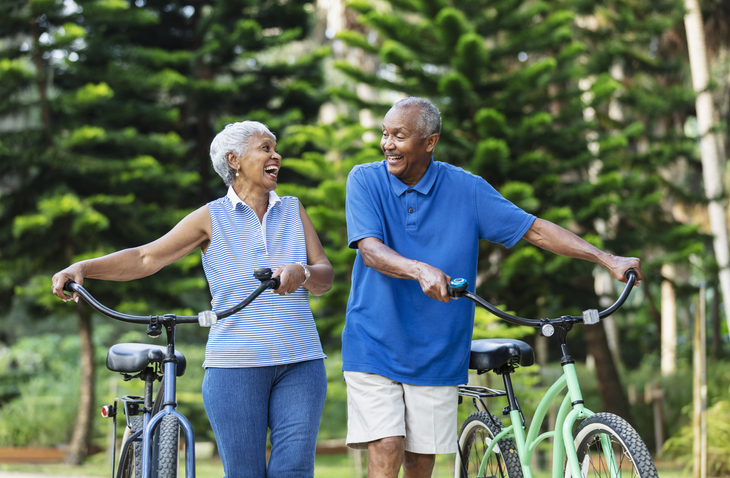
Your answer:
<point x="711" y="165"/>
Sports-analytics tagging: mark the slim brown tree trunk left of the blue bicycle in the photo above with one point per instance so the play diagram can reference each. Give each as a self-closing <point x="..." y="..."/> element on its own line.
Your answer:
<point x="78" y="448"/>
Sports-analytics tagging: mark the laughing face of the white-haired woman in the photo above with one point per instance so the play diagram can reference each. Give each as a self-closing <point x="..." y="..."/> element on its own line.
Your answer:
<point x="259" y="166"/>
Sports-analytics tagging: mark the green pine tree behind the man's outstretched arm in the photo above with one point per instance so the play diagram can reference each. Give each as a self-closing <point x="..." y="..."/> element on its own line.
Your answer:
<point x="524" y="89"/>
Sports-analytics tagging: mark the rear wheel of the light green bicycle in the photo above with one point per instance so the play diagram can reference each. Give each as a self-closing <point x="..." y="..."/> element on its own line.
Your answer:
<point x="475" y="437"/>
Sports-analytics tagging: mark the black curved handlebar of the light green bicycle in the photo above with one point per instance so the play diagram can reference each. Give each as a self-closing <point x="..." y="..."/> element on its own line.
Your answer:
<point x="457" y="288"/>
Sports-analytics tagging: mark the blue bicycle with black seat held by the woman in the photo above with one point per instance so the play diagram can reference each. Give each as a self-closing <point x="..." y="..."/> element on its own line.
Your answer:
<point x="150" y="442"/>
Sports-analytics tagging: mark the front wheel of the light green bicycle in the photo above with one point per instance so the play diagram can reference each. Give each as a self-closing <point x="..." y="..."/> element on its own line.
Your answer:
<point x="631" y="458"/>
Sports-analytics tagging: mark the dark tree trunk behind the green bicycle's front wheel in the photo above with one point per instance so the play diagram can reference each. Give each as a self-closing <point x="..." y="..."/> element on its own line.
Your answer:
<point x="609" y="384"/>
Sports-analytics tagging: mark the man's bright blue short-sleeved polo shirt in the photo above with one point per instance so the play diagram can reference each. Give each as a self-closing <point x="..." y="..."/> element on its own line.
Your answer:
<point x="392" y="328"/>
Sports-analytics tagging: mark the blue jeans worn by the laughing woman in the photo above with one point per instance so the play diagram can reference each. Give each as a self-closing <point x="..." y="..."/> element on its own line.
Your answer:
<point x="242" y="403"/>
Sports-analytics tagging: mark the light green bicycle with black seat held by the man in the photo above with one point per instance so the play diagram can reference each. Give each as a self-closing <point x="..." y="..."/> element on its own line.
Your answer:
<point x="604" y="444"/>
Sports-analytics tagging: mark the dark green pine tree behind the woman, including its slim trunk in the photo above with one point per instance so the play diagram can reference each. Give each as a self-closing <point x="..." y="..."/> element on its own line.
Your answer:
<point x="138" y="92"/>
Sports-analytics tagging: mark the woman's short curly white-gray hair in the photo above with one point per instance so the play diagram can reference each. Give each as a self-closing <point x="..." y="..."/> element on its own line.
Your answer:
<point x="233" y="138"/>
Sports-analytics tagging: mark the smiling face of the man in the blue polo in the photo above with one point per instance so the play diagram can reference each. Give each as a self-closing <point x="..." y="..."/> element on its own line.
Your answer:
<point x="407" y="152"/>
